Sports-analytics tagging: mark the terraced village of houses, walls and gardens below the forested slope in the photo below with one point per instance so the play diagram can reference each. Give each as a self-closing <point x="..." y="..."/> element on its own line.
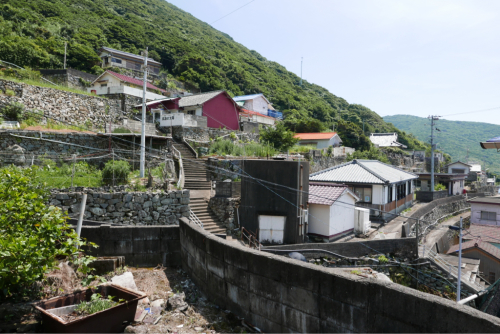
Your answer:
<point x="212" y="212"/>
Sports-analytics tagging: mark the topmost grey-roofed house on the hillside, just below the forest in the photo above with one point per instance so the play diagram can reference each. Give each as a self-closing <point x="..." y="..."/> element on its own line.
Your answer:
<point x="132" y="62"/>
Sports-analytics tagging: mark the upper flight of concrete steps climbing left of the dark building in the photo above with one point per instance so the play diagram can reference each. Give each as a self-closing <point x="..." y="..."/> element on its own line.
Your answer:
<point x="195" y="171"/>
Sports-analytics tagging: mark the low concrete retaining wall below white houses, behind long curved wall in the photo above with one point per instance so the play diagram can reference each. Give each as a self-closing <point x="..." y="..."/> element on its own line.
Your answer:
<point x="405" y="248"/>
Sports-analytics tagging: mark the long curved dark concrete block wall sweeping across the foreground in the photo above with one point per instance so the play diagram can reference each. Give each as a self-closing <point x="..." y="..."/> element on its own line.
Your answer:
<point x="279" y="294"/>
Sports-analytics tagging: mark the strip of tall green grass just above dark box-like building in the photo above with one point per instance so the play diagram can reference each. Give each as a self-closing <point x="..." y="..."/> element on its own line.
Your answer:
<point x="227" y="147"/>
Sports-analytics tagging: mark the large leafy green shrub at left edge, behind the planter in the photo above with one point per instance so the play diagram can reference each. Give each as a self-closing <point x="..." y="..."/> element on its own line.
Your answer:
<point x="32" y="235"/>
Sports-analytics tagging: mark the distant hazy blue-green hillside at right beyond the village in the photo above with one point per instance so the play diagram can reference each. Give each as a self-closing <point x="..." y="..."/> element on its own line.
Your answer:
<point x="455" y="137"/>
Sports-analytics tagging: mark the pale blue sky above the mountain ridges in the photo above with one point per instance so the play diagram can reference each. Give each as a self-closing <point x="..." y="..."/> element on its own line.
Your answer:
<point x="418" y="57"/>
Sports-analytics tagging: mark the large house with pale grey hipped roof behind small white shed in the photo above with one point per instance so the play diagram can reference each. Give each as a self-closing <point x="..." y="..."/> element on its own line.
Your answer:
<point x="382" y="188"/>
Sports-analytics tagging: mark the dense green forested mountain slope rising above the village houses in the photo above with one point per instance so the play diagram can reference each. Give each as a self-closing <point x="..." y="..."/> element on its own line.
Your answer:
<point x="33" y="32"/>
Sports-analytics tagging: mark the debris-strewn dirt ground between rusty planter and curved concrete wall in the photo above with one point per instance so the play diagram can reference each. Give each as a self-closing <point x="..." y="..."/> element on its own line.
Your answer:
<point x="201" y="316"/>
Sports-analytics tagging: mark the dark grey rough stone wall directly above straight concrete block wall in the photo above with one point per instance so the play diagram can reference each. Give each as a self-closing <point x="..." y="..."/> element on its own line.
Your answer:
<point x="128" y="208"/>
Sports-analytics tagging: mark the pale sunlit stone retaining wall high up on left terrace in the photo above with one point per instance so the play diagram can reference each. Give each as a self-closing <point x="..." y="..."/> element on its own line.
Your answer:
<point x="72" y="108"/>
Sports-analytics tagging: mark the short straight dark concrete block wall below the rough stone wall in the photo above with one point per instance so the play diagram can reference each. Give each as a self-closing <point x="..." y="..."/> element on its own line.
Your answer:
<point x="144" y="246"/>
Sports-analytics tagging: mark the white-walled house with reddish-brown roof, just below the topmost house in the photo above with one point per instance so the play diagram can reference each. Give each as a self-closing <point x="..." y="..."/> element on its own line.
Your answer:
<point x="111" y="83"/>
